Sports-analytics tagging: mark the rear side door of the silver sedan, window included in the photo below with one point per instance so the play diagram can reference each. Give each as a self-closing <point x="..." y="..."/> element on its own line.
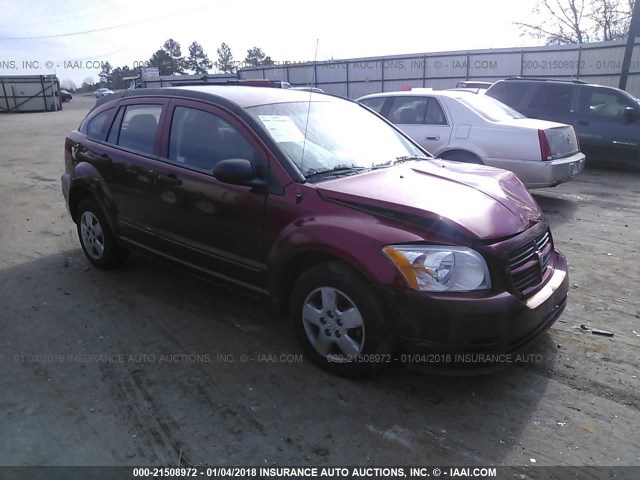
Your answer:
<point x="423" y="119"/>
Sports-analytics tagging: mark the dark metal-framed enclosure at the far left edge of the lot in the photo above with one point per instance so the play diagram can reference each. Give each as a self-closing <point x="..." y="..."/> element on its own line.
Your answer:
<point x="29" y="93"/>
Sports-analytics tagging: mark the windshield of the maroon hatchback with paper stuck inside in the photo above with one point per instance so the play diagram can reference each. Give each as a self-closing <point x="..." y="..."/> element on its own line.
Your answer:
<point x="340" y="135"/>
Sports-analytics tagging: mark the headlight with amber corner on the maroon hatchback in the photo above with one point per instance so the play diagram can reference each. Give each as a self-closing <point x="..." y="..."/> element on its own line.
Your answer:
<point x="440" y="269"/>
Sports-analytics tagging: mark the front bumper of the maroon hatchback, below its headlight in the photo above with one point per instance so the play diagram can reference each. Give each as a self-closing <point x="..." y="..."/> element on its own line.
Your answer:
<point x="475" y="322"/>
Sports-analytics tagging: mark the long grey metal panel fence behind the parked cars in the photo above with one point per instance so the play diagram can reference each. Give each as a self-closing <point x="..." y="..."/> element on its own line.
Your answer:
<point x="595" y="63"/>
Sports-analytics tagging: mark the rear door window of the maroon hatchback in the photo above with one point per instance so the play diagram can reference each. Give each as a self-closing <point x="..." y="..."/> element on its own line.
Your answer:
<point x="139" y="126"/>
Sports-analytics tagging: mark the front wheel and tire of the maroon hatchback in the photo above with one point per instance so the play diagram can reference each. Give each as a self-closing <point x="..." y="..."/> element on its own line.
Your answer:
<point x="376" y="338"/>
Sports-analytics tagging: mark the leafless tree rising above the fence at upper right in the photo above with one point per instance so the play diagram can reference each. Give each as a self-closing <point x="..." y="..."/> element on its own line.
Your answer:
<point x="560" y="22"/>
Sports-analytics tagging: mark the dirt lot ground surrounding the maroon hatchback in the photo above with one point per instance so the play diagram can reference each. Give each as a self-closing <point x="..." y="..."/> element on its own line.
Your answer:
<point x="146" y="365"/>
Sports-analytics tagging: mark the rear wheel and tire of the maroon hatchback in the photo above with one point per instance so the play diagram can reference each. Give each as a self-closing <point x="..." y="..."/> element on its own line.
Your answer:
<point x="111" y="255"/>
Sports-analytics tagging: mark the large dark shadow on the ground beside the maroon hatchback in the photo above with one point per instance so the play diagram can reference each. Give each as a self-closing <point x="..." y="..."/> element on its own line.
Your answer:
<point x="282" y="409"/>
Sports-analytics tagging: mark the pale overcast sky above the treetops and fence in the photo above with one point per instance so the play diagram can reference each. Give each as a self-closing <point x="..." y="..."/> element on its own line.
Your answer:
<point x="126" y="31"/>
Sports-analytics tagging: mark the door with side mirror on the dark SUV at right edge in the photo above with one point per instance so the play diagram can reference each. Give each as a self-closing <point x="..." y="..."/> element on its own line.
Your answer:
<point x="605" y="136"/>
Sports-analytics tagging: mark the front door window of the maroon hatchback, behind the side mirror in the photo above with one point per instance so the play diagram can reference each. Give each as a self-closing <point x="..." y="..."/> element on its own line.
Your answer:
<point x="201" y="139"/>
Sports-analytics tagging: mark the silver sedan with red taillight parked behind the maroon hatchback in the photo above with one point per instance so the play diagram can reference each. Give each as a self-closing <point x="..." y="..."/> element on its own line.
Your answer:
<point x="462" y="126"/>
